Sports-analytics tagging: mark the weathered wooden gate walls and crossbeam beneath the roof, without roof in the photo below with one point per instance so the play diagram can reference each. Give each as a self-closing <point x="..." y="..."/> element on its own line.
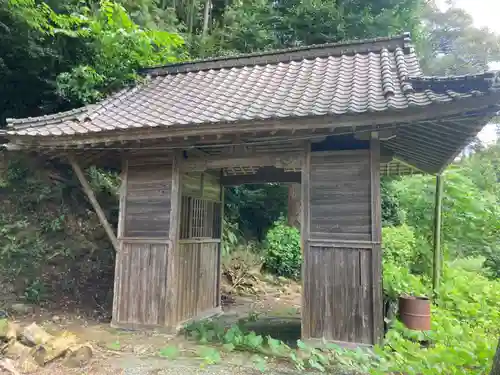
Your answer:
<point x="168" y="266"/>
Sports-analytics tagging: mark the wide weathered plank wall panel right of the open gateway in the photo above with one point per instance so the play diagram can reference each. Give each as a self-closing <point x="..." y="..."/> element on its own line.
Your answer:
<point x="341" y="269"/>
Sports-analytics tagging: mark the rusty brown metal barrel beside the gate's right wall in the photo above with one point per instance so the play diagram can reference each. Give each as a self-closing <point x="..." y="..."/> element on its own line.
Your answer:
<point x="415" y="312"/>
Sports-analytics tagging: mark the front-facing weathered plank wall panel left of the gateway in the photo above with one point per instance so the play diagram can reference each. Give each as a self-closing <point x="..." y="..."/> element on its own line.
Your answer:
<point x="141" y="279"/>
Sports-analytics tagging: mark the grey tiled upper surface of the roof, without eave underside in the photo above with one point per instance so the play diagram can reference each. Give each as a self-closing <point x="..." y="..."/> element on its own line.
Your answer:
<point x="335" y="79"/>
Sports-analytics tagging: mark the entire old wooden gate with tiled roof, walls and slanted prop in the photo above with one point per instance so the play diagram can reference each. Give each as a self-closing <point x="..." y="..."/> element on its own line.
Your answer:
<point x="331" y="117"/>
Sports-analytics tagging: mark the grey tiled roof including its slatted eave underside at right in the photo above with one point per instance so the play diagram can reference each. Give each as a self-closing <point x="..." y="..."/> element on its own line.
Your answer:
<point x="341" y="79"/>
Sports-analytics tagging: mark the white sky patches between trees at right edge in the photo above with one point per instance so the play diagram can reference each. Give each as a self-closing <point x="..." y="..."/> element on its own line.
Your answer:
<point x="486" y="13"/>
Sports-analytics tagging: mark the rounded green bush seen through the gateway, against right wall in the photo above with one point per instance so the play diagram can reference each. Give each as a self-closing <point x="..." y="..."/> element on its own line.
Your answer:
<point x="283" y="250"/>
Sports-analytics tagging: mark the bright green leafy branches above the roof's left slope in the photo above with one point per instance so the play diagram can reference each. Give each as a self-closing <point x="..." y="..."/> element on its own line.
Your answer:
<point x="115" y="45"/>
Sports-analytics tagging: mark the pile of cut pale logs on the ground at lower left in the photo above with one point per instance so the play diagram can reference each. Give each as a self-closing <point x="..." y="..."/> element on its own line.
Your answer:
<point x="32" y="347"/>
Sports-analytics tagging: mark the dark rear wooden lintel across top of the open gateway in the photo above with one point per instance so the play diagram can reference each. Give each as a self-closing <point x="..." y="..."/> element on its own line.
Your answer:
<point x="263" y="175"/>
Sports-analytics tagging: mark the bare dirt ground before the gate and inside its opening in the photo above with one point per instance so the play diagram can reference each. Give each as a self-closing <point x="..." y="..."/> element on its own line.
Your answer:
<point x="121" y="352"/>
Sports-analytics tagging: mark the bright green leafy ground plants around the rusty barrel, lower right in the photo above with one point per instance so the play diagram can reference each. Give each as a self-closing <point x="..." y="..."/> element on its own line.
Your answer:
<point x="465" y="326"/>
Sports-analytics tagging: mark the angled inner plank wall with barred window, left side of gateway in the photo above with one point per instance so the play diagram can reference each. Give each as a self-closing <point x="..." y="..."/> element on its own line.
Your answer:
<point x="197" y="259"/>
